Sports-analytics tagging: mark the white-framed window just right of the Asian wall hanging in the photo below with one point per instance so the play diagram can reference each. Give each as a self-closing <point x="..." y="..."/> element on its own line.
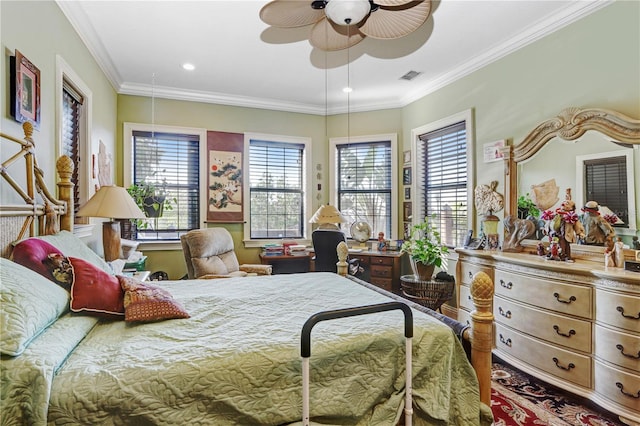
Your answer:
<point x="277" y="200"/>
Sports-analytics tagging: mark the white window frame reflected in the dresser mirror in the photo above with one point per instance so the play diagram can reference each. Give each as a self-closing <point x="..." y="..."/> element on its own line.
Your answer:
<point x="631" y="190"/>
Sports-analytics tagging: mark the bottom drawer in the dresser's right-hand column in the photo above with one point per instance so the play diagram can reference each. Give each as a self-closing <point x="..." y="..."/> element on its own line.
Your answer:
<point x="618" y="386"/>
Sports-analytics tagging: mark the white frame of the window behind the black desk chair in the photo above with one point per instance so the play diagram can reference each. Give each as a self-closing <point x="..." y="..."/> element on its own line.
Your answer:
<point x="333" y="172"/>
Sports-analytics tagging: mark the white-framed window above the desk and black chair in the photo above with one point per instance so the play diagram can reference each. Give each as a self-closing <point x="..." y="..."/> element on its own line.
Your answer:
<point x="365" y="182"/>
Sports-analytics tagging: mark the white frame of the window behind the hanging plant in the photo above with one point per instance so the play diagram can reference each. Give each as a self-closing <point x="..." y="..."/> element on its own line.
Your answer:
<point x="127" y="163"/>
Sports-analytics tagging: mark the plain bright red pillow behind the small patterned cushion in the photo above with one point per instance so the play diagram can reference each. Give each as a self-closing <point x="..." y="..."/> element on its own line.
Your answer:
<point x="94" y="291"/>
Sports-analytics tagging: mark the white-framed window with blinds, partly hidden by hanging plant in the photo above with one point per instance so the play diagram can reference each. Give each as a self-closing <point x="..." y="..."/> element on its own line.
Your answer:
<point x="169" y="158"/>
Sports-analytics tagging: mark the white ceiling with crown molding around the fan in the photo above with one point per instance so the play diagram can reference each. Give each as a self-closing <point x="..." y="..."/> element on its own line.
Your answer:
<point x="240" y="60"/>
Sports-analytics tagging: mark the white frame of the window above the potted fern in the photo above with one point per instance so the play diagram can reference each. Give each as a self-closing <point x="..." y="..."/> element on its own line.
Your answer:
<point x="465" y="116"/>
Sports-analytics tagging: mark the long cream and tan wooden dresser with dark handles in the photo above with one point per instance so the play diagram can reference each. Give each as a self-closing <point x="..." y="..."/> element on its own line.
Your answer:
<point x="574" y="325"/>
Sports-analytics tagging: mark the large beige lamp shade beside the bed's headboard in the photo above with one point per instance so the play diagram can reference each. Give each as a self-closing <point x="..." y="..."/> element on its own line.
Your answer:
<point x="113" y="202"/>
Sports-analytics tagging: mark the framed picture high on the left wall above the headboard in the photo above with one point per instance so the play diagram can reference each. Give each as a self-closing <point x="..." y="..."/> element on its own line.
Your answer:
<point x="25" y="90"/>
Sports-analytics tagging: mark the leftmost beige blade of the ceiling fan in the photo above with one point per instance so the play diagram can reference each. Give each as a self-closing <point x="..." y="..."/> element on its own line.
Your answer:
<point x="290" y="13"/>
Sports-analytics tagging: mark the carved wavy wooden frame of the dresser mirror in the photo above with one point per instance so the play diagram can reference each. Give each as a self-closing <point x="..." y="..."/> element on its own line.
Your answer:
<point x="569" y="125"/>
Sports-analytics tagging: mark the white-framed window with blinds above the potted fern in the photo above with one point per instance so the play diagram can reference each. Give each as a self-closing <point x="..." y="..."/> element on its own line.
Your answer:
<point x="443" y="174"/>
